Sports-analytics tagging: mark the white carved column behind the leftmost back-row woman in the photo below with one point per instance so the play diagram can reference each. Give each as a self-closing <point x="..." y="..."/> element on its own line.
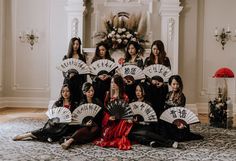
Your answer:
<point x="75" y="10"/>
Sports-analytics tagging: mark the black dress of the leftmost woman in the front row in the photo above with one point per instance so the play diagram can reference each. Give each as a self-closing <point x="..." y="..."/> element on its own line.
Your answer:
<point x="53" y="131"/>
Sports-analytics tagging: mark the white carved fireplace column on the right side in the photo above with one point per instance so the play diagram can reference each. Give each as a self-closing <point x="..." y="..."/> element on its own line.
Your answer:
<point x="169" y="11"/>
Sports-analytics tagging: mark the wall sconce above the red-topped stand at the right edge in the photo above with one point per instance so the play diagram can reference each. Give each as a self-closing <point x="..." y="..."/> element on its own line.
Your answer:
<point x="224" y="36"/>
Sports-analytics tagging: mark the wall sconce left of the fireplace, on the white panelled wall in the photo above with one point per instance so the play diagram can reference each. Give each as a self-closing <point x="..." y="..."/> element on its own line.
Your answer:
<point x="29" y="37"/>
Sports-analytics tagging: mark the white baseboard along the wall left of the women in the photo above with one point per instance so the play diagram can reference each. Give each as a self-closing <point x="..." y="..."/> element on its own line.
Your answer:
<point x="35" y="102"/>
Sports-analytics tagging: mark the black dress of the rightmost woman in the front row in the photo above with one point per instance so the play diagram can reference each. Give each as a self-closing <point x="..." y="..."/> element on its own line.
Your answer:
<point x="171" y="131"/>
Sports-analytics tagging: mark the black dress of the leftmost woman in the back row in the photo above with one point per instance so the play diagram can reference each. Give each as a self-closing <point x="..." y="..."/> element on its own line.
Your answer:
<point x="75" y="82"/>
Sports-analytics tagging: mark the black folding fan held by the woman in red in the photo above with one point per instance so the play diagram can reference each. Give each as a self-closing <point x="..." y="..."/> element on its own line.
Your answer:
<point x="120" y="109"/>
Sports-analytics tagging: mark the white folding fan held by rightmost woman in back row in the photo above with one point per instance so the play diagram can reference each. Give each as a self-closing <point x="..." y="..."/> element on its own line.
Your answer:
<point x="158" y="70"/>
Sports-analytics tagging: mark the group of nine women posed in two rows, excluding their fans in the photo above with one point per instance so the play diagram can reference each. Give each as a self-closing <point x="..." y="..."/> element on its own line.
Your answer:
<point x="105" y="129"/>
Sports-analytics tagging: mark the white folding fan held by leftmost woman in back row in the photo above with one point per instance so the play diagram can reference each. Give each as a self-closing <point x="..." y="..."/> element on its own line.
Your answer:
<point x="76" y="64"/>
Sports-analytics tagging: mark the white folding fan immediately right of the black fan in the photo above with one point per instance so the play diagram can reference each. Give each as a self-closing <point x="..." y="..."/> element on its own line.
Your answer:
<point x="144" y="110"/>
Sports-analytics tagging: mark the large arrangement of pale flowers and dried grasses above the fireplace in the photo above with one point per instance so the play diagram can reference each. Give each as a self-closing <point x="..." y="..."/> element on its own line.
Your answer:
<point x="122" y="28"/>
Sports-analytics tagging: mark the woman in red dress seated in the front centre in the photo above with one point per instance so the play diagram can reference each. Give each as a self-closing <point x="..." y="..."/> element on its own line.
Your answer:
<point x="115" y="131"/>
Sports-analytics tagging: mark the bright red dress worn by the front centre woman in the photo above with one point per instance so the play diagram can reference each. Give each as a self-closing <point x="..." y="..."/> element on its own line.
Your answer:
<point x="115" y="133"/>
